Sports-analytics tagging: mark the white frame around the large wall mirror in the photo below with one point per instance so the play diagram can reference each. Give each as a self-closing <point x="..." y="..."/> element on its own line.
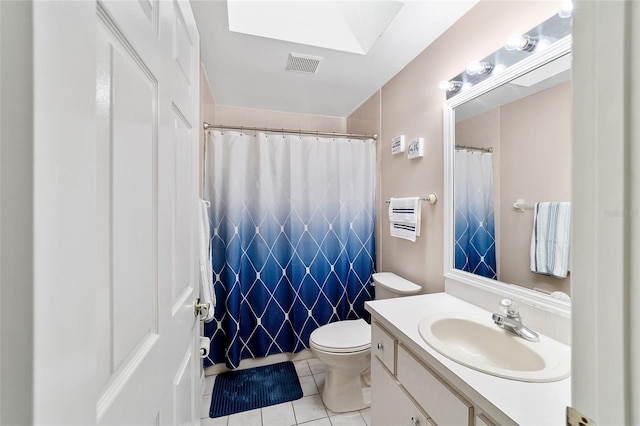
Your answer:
<point x="522" y="294"/>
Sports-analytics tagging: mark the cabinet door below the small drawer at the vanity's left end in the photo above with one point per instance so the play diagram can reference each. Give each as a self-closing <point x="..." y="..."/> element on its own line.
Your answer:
<point x="390" y="405"/>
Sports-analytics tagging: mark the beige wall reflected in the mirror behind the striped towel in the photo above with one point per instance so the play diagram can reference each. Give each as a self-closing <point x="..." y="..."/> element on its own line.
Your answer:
<point x="536" y="166"/>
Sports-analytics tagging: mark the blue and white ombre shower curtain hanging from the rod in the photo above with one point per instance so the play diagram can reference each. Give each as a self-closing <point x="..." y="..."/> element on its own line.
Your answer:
<point x="292" y="231"/>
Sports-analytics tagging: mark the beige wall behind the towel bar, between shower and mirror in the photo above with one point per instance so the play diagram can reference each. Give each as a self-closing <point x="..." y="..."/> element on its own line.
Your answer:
<point x="411" y="105"/>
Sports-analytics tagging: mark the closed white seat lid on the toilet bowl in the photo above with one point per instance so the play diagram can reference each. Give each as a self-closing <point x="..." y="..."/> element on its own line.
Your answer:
<point x="342" y="336"/>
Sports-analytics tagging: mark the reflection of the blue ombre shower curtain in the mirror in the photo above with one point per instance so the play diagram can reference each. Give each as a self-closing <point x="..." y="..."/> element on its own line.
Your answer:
<point x="475" y="246"/>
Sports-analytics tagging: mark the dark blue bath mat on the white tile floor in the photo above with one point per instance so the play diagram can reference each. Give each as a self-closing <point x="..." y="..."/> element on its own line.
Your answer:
<point x="244" y="390"/>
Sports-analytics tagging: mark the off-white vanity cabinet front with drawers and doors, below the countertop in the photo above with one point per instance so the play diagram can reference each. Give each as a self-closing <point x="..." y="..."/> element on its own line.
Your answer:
<point x="405" y="391"/>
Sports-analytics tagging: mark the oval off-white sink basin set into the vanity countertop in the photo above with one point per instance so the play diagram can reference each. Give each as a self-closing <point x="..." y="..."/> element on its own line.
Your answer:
<point x="476" y="342"/>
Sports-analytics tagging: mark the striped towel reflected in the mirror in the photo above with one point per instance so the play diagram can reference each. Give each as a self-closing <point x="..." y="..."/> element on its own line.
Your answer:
<point x="550" y="239"/>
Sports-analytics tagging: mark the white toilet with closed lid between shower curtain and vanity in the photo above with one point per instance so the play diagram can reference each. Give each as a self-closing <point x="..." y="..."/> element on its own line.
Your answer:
<point x="345" y="348"/>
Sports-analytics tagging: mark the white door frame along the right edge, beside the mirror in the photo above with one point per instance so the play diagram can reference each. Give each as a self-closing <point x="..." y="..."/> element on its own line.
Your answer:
<point x="606" y="229"/>
